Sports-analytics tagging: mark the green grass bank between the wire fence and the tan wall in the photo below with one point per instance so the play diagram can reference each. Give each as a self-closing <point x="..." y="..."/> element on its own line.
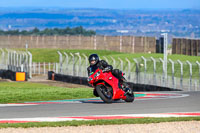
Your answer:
<point x="51" y="55"/>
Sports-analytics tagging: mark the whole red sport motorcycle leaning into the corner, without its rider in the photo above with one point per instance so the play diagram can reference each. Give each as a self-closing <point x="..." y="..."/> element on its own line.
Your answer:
<point x="107" y="87"/>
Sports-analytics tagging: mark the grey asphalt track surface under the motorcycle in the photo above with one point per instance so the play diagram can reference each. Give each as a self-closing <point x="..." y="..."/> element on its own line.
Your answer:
<point x="190" y="102"/>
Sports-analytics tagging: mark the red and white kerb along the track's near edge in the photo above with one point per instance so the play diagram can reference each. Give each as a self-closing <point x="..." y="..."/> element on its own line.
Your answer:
<point x="70" y="118"/>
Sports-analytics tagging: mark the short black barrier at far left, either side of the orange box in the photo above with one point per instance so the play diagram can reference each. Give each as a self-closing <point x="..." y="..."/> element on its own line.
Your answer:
<point x="8" y="74"/>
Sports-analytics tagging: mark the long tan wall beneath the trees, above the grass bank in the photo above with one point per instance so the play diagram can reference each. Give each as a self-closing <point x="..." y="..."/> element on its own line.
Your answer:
<point x="130" y="44"/>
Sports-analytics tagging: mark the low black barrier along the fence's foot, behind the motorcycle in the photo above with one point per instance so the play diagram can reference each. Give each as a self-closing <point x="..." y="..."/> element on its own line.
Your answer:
<point x="83" y="81"/>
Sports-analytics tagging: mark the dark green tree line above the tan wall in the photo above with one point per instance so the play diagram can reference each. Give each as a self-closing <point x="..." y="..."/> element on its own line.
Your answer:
<point x="55" y="31"/>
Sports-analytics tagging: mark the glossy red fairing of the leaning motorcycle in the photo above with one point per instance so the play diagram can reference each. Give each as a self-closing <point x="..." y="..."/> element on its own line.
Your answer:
<point x="100" y="77"/>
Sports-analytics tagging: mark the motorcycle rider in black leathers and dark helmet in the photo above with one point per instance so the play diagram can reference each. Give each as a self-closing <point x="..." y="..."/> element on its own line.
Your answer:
<point x="95" y="63"/>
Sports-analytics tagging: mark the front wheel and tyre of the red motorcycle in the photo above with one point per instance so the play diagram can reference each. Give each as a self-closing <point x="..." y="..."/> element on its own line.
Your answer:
<point x="105" y="93"/>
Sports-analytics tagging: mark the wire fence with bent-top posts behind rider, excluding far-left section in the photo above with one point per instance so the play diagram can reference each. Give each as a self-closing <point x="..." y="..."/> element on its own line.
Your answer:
<point x="180" y="75"/>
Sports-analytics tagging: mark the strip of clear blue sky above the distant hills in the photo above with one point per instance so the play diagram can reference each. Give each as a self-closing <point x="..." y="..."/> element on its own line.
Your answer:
<point x="113" y="4"/>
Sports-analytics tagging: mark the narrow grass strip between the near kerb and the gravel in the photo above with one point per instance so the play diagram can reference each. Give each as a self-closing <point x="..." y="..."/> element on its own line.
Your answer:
<point x="98" y="122"/>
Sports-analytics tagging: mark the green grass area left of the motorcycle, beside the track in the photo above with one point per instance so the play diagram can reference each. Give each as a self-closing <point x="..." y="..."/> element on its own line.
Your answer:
<point x="18" y="92"/>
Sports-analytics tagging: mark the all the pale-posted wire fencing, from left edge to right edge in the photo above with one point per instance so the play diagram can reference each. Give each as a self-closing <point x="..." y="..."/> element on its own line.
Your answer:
<point x="184" y="75"/>
